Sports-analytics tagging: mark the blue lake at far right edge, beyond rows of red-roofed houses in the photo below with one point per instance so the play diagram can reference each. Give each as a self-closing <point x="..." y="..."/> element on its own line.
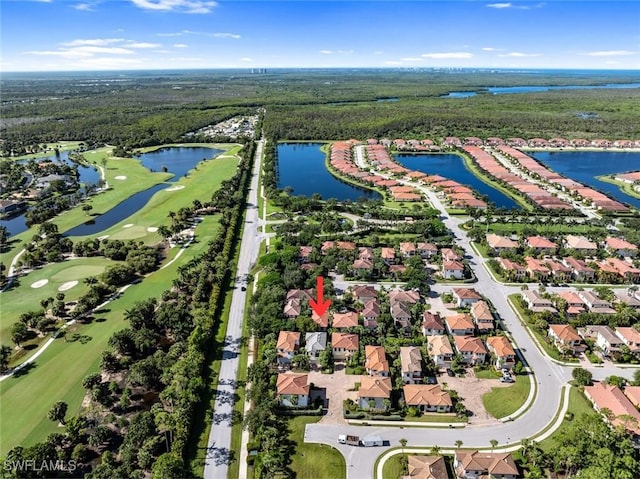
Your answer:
<point x="584" y="166"/>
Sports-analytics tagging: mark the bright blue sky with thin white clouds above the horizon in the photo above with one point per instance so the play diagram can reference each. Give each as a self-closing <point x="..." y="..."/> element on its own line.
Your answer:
<point x="64" y="35"/>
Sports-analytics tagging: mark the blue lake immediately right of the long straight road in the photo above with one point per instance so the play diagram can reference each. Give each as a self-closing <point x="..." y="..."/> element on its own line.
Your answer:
<point x="301" y="166"/>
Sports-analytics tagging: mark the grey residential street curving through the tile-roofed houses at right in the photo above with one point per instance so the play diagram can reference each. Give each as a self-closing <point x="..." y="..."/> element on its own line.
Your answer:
<point x="549" y="378"/>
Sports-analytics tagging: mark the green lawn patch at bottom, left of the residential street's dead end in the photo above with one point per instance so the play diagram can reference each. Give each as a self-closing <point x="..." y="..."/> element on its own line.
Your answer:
<point x="314" y="461"/>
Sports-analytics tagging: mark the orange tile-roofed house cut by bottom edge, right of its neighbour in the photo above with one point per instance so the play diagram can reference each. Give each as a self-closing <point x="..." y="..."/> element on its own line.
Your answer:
<point x="479" y="465"/>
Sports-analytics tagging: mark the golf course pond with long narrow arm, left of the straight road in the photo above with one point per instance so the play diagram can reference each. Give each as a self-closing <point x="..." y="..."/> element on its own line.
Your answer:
<point x="176" y="160"/>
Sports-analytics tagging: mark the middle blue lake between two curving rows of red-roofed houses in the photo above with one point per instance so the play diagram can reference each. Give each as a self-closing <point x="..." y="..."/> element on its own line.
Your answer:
<point x="453" y="167"/>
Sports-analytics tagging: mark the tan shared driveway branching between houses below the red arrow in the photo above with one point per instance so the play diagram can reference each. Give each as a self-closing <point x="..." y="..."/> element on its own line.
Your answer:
<point x="339" y="386"/>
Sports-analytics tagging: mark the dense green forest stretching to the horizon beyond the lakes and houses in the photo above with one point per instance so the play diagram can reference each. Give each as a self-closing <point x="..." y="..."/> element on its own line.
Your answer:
<point x="142" y="109"/>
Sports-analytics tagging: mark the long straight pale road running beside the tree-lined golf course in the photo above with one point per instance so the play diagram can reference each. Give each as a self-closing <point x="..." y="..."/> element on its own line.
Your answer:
<point x="219" y="453"/>
